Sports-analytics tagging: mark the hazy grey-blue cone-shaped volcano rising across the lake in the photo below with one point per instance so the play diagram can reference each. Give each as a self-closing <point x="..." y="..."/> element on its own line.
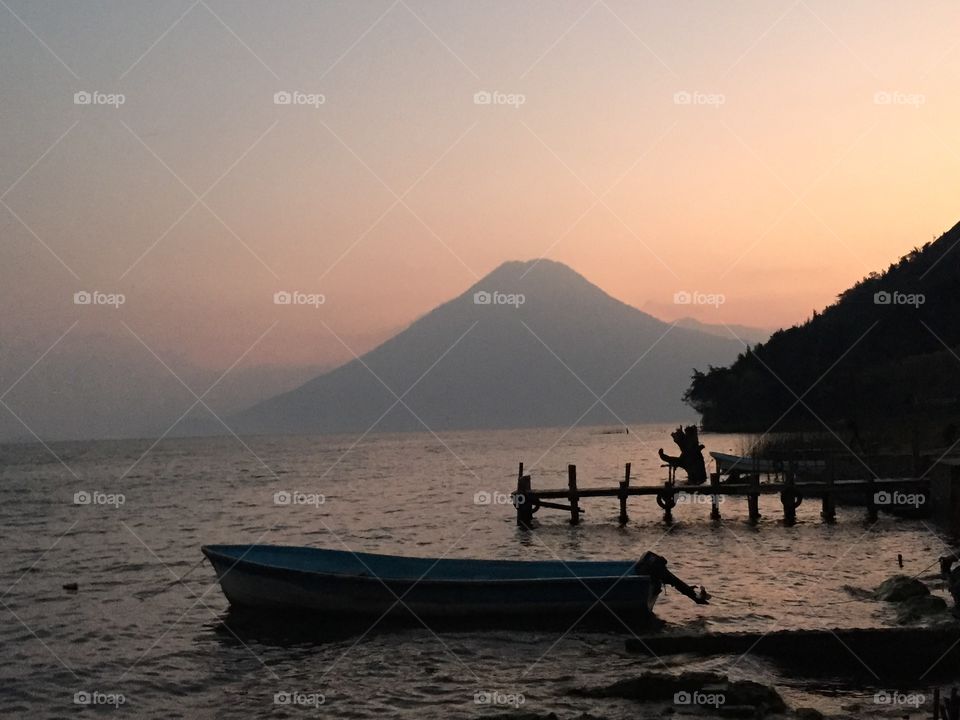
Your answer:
<point x="531" y="344"/>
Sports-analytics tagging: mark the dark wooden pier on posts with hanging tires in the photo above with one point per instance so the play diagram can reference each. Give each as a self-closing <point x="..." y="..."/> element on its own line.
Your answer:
<point x="792" y="490"/>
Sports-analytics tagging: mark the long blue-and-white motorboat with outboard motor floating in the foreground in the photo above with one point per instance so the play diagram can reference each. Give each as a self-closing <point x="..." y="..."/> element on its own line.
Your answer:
<point x="272" y="579"/>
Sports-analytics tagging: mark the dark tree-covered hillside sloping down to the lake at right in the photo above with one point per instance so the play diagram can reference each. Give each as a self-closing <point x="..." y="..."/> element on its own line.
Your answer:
<point x="861" y="364"/>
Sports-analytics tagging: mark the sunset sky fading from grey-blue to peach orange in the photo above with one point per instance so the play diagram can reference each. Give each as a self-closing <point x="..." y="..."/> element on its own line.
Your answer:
<point x="770" y="153"/>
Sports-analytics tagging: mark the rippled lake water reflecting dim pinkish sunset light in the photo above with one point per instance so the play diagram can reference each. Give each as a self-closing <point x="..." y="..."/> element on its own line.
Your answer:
<point x="122" y="519"/>
